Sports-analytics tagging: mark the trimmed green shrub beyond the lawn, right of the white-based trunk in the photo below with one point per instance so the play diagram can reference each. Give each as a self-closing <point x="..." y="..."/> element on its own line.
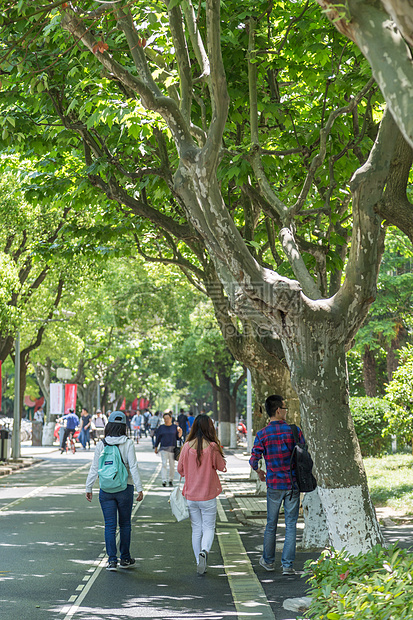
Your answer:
<point x="370" y="421"/>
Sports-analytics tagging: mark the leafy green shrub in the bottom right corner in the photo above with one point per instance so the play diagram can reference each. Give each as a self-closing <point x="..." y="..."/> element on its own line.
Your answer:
<point x="372" y="586"/>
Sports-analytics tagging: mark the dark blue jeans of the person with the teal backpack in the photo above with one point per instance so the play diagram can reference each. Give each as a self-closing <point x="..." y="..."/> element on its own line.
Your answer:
<point x="114" y="504"/>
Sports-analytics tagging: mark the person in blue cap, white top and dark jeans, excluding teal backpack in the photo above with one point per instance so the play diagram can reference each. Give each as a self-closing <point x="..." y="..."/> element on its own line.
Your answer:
<point x="117" y="505"/>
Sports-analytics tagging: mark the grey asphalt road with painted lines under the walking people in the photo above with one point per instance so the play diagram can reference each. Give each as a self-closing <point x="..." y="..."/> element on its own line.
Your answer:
<point x="52" y="556"/>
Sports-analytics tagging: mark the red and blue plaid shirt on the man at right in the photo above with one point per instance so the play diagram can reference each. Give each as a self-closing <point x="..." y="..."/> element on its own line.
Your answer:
<point x="275" y="443"/>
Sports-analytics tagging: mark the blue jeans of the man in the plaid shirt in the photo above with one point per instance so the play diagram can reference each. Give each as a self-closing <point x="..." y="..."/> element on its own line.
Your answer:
<point x="275" y="497"/>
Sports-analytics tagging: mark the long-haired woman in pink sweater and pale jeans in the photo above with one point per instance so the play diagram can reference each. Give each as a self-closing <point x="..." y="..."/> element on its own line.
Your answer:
<point x="199" y="461"/>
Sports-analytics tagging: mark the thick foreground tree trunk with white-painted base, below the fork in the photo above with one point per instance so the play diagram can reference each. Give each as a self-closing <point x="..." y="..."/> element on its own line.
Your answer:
<point x="319" y="374"/>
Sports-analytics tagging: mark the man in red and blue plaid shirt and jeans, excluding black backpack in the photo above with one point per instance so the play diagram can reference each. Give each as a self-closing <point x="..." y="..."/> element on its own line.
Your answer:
<point x="275" y="443"/>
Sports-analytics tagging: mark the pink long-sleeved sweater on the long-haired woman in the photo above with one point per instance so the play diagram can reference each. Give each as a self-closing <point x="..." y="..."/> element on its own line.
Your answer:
<point x="201" y="481"/>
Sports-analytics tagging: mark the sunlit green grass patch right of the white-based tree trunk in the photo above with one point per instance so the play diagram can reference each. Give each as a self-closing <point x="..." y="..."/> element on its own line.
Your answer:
<point x="390" y="480"/>
